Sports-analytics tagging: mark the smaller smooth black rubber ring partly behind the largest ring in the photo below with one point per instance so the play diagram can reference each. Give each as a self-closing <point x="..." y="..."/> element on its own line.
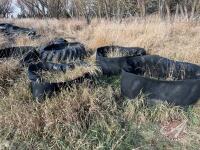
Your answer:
<point x="113" y="66"/>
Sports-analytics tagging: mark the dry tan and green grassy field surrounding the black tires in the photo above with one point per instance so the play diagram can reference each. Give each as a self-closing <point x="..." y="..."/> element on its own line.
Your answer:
<point x="98" y="117"/>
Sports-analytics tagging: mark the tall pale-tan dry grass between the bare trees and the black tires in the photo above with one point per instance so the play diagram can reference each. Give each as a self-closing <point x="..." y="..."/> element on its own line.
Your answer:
<point x="175" y="39"/>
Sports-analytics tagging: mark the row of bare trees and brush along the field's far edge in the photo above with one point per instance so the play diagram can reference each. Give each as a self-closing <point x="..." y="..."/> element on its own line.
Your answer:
<point x="108" y="9"/>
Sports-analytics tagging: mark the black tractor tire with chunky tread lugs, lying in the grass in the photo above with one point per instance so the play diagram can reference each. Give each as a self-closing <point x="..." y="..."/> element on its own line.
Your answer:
<point x="60" y="50"/>
